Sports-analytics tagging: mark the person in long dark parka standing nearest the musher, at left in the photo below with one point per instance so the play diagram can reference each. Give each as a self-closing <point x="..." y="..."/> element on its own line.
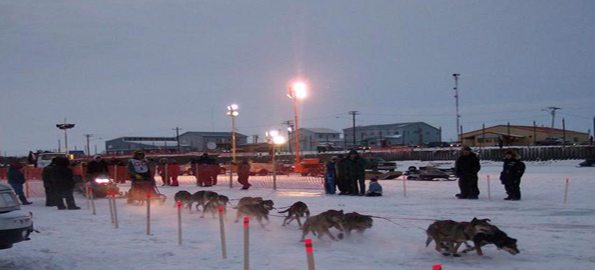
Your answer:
<point x="63" y="183"/>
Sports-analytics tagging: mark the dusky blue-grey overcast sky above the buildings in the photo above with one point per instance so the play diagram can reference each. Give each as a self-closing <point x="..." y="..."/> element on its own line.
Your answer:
<point x="122" y="68"/>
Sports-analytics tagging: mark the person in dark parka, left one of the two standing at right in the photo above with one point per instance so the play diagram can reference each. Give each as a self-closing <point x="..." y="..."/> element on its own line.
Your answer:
<point x="466" y="168"/>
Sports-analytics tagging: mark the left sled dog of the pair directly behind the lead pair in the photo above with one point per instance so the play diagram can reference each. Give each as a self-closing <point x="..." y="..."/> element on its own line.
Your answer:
<point x="321" y="223"/>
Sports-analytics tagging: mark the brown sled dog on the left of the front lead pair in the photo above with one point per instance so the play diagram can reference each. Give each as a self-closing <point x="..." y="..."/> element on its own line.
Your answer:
<point x="449" y="235"/>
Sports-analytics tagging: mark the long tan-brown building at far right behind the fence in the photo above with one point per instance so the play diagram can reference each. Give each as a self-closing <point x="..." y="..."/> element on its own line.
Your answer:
<point x="520" y="135"/>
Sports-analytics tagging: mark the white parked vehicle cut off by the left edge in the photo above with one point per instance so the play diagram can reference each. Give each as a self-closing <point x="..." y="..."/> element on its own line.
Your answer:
<point x="15" y="224"/>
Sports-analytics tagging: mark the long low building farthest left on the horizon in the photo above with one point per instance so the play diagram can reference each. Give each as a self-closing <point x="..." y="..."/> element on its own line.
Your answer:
<point x="126" y="145"/>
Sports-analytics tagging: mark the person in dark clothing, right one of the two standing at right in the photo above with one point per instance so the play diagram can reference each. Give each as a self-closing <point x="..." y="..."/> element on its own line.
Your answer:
<point x="511" y="174"/>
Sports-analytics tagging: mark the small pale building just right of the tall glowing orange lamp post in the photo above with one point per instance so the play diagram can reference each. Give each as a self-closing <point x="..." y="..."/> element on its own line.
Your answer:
<point x="310" y="138"/>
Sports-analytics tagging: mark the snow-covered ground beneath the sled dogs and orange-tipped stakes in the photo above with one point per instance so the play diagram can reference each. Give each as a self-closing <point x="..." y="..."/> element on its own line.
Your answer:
<point x="550" y="235"/>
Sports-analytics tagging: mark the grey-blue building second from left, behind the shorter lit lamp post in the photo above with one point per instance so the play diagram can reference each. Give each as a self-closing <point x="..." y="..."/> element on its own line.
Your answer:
<point x="209" y="141"/>
